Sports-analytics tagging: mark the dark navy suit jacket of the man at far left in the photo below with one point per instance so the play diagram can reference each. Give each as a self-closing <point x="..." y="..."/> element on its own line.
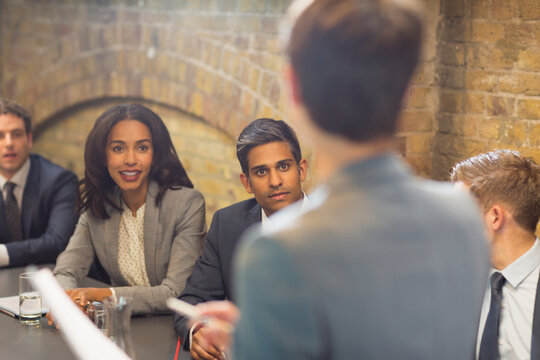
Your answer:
<point x="48" y="214"/>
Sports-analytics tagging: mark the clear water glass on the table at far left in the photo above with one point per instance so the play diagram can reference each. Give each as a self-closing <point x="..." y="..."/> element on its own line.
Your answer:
<point x="29" y="301"/>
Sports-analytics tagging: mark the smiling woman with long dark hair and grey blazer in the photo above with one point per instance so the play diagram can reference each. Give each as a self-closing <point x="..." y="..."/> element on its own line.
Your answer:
<point x="140" y="216"/>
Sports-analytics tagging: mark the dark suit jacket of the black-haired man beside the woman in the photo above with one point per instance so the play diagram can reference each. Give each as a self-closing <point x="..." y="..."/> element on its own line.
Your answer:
<point x="211" y="275"/>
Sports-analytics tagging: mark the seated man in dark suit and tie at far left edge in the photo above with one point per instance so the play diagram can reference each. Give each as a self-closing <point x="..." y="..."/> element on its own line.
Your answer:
<point x="37" y="207"/>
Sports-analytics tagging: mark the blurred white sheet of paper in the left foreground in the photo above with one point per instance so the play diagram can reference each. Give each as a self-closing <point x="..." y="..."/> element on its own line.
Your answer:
<point x="84" y="339"/>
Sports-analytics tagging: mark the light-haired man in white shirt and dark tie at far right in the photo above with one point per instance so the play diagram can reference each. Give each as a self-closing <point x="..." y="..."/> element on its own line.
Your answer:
<point x="507" y="187"/>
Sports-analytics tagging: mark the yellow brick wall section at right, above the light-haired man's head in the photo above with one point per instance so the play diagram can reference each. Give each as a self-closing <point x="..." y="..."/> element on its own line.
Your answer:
<point x="489" y="75"/>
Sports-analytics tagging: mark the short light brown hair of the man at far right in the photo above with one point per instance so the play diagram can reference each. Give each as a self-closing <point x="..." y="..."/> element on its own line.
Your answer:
<point x="504" y="176"/>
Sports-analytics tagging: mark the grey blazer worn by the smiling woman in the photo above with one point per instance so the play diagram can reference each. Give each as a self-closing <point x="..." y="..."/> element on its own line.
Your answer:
<point x="173" y="239"/>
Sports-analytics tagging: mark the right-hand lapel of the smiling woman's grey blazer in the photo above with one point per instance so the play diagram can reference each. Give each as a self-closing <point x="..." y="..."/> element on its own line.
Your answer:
<point x="151" y="229"/>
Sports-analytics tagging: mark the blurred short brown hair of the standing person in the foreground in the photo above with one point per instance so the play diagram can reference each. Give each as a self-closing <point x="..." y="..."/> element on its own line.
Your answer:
<point x="353" y="60"/>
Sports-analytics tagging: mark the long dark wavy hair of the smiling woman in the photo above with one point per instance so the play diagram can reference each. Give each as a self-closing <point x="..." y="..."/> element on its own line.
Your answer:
<point x="97" y="187"/>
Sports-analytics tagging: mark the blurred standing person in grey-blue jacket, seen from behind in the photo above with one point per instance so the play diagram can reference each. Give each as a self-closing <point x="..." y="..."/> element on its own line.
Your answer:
<point x="383" y="265"/>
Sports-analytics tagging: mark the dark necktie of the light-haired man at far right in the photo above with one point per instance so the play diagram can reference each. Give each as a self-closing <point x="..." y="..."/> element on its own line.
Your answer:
<point x="489" y="347"/>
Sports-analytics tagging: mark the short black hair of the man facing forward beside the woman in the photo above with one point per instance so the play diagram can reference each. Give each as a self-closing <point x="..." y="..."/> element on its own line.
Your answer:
<point x="263" y="131"/>
